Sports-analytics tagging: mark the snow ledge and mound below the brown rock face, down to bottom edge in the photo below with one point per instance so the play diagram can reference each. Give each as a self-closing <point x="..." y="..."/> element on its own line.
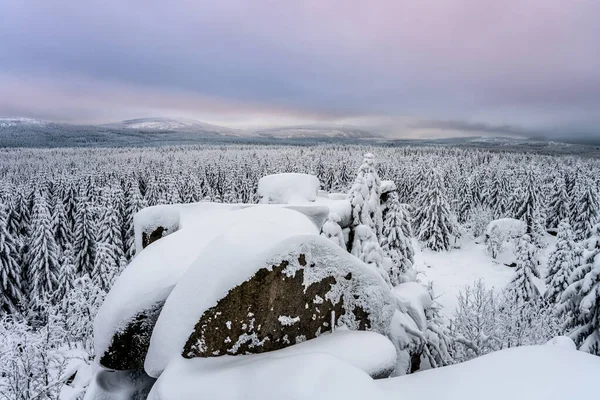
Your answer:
<point x="291" y="373"/>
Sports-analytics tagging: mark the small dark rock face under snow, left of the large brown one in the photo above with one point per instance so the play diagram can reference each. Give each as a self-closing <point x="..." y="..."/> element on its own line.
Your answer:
<point x="130" y="344"/>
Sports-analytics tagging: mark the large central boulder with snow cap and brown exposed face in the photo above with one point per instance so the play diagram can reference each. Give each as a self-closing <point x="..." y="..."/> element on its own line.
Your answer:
<point x="230" y="301"/>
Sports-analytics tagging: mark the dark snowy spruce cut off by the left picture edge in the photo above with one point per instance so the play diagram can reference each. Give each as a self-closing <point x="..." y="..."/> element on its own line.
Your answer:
<point x="11" y="288"/>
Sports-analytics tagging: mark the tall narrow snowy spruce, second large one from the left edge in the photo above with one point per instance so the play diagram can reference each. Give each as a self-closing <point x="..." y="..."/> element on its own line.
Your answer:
<point x="42" y="254"/>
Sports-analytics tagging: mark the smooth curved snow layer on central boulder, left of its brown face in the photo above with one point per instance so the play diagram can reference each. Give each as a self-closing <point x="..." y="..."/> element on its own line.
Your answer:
<point x="216" y="271"/>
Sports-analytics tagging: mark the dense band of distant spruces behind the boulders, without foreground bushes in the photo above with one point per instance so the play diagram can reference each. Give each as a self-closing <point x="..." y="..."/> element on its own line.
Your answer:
<point x="67" y="213"/>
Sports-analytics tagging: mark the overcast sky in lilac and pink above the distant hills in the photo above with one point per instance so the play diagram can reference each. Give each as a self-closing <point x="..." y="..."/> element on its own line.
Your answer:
<point x="405" y="68"/>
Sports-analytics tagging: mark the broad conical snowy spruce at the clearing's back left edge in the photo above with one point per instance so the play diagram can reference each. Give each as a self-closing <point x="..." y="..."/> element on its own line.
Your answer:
<point x="433" y="220"/>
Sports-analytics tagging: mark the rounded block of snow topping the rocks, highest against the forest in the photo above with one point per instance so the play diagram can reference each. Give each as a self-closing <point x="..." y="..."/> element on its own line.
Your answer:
<point x="288" y="188"/>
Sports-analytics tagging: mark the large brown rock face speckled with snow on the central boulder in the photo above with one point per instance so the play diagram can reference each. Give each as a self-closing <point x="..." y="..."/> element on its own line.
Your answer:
<point x="291" y="302"/>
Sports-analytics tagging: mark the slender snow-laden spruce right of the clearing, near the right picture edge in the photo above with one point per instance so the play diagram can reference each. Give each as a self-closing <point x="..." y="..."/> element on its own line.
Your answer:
<point x="561" y="263"/>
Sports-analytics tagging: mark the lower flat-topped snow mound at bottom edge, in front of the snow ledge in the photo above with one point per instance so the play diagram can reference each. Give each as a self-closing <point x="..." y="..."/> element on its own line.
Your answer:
<point x="301" y="377"/>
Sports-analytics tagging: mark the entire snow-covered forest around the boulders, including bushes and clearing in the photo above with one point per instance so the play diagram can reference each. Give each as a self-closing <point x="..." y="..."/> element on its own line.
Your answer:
<point x="67" y="233"/>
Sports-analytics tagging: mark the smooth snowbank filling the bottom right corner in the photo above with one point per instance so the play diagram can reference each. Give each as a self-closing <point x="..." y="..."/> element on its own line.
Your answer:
<point x="530" y="372"/>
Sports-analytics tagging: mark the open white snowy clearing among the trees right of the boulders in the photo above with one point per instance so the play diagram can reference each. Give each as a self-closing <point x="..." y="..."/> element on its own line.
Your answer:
<point x="452" y="270"/>
